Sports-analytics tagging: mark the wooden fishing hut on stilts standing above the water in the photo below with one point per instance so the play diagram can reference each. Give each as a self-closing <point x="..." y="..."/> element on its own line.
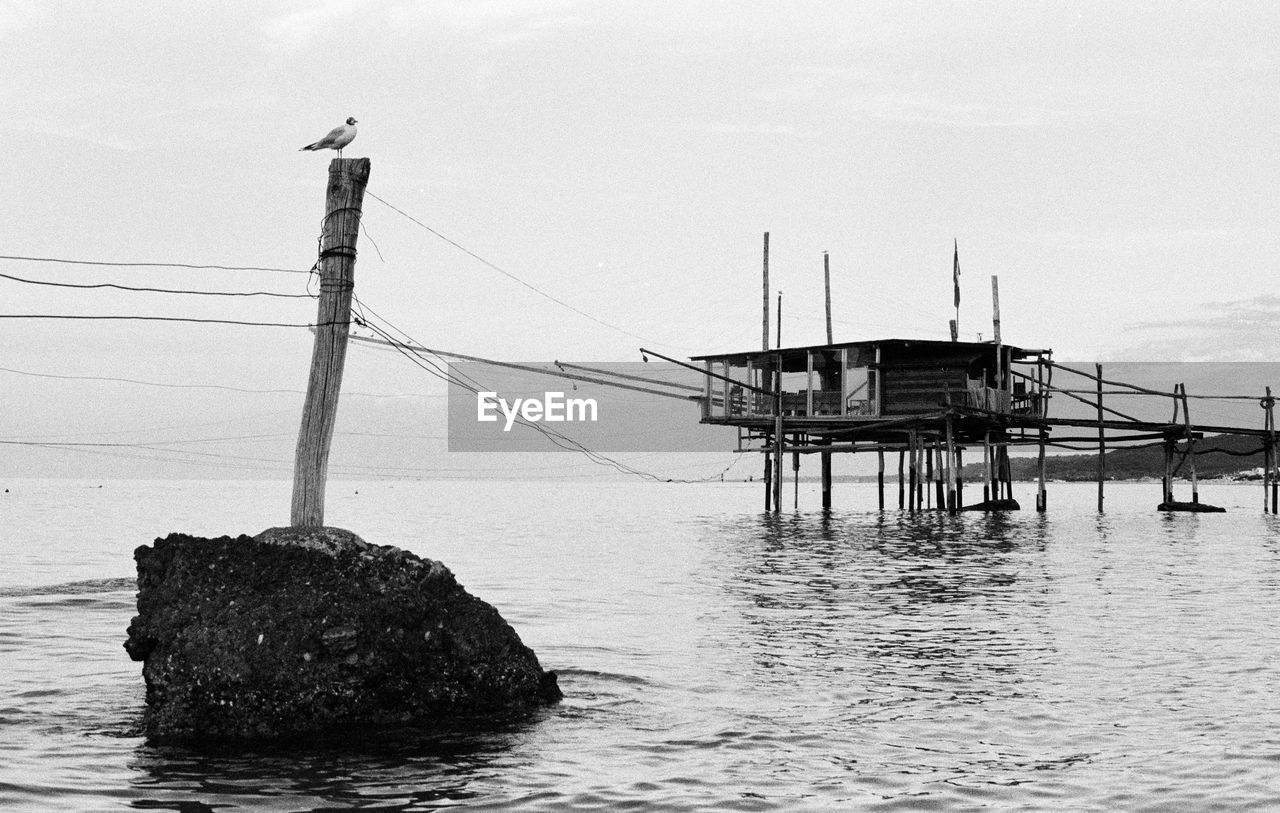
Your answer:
<point x="926" y="400"/>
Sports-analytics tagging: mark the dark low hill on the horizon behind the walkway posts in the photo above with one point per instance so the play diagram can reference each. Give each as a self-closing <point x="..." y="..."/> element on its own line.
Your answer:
<point x="1217" y="456"/>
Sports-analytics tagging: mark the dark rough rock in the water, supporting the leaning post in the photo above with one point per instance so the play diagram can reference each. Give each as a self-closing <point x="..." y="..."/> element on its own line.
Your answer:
<point x="312" y="631"/>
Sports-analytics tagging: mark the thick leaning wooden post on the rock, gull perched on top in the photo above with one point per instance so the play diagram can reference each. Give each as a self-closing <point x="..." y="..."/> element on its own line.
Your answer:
<point x="344" y="202"/>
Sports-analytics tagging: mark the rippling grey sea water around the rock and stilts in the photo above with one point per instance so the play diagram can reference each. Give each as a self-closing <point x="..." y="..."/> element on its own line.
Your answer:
<point x="714" y="657"/>
